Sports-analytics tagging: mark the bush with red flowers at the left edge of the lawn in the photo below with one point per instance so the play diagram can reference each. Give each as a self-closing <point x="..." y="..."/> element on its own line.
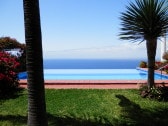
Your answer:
<point x="8" y="72"/>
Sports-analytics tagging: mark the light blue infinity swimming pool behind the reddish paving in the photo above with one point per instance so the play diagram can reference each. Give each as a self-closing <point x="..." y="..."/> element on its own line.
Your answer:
<point x="95" y="74"/>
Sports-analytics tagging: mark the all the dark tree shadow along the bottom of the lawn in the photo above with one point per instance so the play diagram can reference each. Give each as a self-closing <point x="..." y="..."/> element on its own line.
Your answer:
<point x="131" y="114"/>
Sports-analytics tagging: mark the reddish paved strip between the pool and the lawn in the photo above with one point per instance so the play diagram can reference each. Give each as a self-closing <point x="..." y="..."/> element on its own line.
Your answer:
<point x="93" y="84"/>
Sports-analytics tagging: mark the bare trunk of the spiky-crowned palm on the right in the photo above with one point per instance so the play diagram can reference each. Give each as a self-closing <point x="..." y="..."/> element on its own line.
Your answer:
<point x="151" y="53"/>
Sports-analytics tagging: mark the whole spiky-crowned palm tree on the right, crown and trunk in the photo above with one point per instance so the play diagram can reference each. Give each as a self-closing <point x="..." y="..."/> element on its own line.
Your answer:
<point x="145" y="20"/>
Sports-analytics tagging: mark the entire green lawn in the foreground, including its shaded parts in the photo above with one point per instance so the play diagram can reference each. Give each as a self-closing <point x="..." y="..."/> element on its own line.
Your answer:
<point x="74" y="107"/>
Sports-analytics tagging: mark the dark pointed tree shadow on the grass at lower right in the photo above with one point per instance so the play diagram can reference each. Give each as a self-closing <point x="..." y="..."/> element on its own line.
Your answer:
<point x="133" y="114"/>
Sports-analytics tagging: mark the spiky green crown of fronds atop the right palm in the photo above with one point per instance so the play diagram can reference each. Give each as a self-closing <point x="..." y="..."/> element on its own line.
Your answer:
<point x="144" y="19"/>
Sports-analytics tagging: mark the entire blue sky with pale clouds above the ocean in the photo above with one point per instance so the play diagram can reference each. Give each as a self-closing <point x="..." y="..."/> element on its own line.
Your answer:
<point x="75" y="29"/>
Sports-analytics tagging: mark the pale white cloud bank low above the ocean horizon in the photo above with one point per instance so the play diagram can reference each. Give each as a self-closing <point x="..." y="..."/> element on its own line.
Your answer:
<point x="123" y="50"/>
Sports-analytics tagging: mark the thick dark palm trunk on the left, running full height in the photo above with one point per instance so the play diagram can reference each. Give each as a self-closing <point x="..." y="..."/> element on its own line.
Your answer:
<point x="34" y="60"/>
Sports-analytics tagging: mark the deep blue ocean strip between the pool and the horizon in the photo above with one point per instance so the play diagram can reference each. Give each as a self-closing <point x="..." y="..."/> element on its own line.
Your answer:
<point x="91" y="63"/>
